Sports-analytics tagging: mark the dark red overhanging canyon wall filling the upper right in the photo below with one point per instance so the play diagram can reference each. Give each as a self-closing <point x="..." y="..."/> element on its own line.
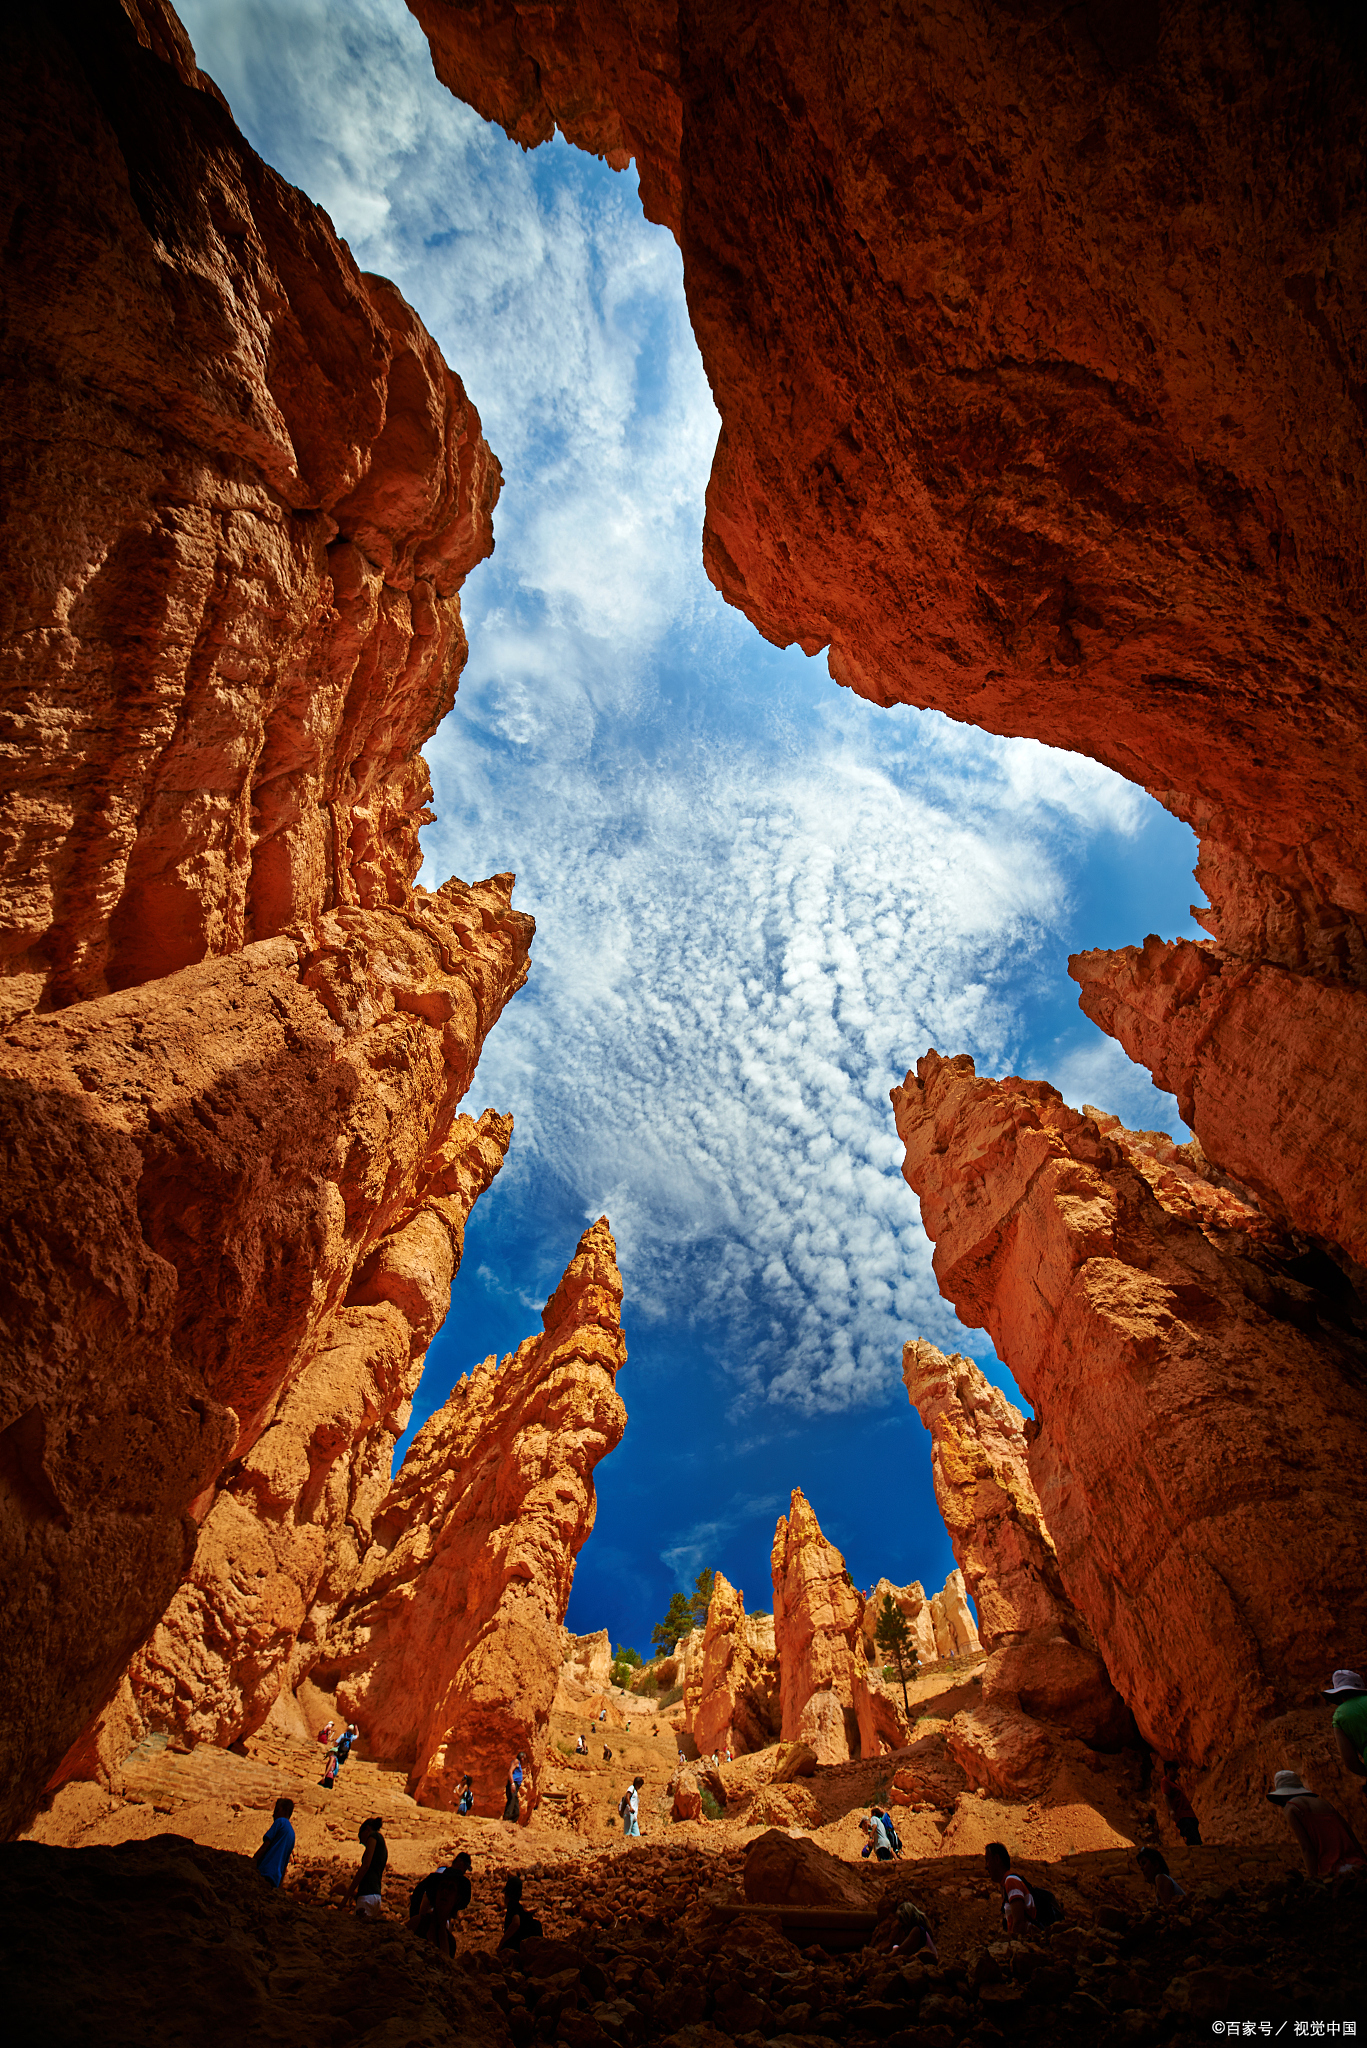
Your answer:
<point x="1040" y="345"/>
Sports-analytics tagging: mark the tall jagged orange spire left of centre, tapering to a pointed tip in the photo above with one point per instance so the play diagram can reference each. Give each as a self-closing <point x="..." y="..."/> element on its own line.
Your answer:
<point x="450" y="1648"/>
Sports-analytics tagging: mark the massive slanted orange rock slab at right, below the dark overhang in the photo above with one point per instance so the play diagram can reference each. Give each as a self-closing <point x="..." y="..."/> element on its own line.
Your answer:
<point x="1202" y="1408"/>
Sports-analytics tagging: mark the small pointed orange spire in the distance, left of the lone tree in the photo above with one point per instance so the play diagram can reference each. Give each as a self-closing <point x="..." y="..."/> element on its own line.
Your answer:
<point x="827" y="1693"/>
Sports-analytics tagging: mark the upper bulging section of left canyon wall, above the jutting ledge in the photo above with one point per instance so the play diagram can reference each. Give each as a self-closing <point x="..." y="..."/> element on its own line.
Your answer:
<point x="243" y="490"/>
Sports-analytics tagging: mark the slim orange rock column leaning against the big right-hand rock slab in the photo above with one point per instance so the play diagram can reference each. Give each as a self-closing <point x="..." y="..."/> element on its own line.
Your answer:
<point x="1044" y="1656"/>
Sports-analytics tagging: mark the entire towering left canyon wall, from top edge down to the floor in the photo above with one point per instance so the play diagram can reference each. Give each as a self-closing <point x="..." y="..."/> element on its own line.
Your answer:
<point x="239" y="495"/>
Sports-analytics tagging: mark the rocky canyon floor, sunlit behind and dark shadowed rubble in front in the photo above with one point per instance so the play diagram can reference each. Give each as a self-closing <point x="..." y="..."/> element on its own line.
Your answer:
<point x="136" y="1916"/>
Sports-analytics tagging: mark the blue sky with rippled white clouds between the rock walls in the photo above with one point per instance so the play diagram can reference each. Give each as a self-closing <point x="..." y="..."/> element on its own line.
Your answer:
<point x="757" y="898"/>
